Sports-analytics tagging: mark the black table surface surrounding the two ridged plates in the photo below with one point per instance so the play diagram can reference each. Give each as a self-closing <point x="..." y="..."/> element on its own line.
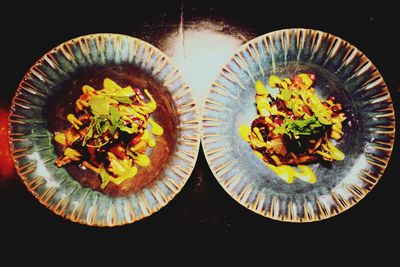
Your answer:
<point x="203" y="222"/>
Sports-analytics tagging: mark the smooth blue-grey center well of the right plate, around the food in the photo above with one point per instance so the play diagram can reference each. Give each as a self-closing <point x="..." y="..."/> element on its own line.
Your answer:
<point x="329" y="175"/>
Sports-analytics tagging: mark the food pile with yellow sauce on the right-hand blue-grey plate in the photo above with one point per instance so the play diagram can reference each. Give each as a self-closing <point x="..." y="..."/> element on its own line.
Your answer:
<point x="294" y="127"/>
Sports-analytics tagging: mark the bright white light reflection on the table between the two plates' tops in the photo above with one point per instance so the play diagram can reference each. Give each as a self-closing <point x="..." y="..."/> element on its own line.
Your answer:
<point x="200" y="52"/>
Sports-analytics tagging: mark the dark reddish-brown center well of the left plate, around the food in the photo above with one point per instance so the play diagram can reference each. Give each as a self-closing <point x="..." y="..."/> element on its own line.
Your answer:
<point x="63" y="103"/>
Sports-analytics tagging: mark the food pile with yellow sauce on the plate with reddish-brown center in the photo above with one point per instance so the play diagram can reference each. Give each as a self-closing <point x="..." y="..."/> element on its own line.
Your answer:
<point x="109" y="132"/>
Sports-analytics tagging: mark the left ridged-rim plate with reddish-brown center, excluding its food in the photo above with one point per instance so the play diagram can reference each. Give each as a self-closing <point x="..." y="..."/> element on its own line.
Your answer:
<point x="47" y="94"/>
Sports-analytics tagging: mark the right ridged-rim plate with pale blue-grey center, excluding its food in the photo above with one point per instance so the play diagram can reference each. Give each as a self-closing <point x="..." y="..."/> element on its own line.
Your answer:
<point x="342" y="71"/>
